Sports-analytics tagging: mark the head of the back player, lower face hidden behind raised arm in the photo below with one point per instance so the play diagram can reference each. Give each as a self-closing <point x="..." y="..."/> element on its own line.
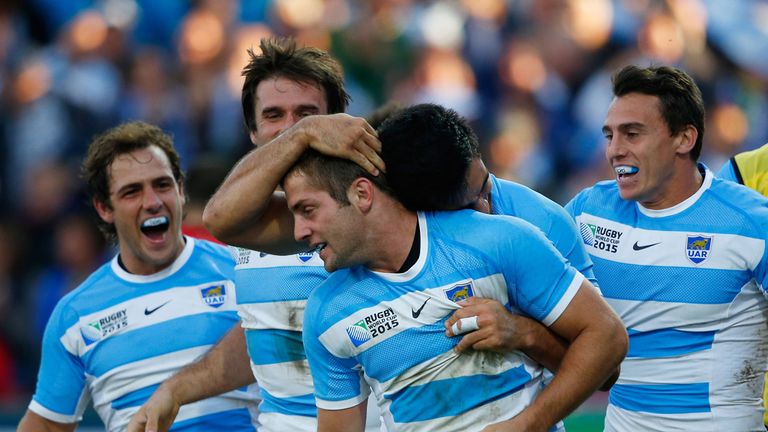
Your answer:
<point x="284" y="83"/>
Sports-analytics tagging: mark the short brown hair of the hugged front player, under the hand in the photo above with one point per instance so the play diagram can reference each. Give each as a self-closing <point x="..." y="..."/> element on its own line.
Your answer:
<point x="333" y="175"/>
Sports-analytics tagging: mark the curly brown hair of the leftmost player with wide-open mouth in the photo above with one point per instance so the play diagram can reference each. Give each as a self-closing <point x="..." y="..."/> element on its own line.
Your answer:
<point x="105" y="148"/>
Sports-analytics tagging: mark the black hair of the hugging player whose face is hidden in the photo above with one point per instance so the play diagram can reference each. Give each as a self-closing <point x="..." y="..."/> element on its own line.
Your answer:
<point x="428" y="150"/>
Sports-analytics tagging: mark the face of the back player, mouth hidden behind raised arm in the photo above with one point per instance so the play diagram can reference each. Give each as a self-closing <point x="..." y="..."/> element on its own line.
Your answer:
<point x="281" y="102"/>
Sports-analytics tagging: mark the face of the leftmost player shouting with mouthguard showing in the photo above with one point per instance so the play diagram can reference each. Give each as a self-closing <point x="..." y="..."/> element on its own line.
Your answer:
<point x="146" y="209"/>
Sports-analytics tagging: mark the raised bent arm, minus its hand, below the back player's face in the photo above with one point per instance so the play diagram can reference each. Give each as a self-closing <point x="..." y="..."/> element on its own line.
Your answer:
<point x="243" y="211"/>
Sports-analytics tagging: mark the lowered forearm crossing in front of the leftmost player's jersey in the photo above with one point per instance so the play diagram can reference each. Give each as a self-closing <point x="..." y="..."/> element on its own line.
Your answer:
<point x="224" y="368"/>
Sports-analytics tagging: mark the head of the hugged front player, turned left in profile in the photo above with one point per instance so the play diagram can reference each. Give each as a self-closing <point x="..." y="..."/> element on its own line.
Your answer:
<point x="332" y="201"/>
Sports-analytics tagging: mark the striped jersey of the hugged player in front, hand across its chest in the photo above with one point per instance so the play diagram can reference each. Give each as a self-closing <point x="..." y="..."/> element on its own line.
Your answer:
<point x="387" y="330"/>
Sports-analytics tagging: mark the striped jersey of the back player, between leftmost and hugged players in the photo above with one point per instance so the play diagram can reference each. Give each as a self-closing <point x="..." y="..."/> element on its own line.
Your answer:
<point x="272" y="292"/>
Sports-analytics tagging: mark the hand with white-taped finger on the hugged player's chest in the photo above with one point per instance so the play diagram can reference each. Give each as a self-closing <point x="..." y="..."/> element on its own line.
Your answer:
<point x="499" y="330"/>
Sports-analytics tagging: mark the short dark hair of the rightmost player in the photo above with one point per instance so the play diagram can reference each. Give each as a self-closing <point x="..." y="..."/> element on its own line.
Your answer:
<point x="680" y="99"/>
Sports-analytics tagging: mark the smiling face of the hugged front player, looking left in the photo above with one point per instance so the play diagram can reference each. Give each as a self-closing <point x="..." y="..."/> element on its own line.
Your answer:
<point x="333" y="230"/>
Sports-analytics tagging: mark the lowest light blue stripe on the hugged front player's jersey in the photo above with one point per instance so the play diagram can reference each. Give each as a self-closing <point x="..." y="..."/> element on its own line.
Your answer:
<point x="451" y="397"/>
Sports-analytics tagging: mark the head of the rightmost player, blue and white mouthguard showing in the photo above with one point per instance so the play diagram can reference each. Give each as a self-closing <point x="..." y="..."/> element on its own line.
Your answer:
<point x="654" y="129"/>
